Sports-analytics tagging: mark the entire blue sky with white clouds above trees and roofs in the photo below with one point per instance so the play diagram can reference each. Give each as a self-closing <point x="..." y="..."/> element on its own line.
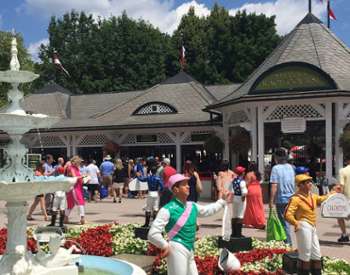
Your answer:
<point x="31" y="17"/>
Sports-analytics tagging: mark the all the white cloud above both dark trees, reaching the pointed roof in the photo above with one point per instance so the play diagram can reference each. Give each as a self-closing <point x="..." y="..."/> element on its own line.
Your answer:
<point x="164" y="15"/>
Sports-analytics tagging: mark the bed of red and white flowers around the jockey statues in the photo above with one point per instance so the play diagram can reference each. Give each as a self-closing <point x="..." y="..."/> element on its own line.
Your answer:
<point x="108" y="240"/>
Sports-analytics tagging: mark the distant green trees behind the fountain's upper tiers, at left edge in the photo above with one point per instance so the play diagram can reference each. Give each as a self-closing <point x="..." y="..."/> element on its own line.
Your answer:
<point x="5" y="57"/>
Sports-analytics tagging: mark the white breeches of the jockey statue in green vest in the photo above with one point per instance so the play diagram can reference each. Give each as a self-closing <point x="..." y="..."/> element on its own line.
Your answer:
<point x="180" y="260"/>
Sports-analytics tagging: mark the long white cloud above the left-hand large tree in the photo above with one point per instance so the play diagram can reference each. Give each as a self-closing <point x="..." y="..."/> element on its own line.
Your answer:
<point x="160" y="13"/>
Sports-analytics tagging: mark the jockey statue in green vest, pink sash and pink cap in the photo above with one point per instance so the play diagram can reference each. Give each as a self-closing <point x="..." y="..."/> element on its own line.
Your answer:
<point x="179" y="219"/>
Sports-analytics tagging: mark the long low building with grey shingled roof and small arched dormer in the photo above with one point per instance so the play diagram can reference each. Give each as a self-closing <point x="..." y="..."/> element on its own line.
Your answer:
<point x="166" y="120"/>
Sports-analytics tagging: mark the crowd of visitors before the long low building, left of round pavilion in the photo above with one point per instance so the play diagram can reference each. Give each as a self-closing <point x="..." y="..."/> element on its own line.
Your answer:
<point x="111" y="178"/>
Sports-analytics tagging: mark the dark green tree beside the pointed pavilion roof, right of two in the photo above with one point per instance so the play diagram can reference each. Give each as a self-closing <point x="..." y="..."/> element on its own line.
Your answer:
<point x="221" y="48"/>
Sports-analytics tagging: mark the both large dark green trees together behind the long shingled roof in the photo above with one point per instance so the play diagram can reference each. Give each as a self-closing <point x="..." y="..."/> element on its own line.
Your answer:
<point x="121" y="54"/>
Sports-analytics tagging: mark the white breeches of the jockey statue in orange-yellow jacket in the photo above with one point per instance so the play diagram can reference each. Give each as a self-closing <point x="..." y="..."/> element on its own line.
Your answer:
<point x="307" y="241"/>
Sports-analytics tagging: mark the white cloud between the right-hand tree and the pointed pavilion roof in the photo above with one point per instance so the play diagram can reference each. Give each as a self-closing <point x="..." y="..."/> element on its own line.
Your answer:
<point x="288" y="12"/>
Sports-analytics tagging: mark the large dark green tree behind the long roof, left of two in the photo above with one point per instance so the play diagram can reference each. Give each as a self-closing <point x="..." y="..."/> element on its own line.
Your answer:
<point x="104" y="55"/>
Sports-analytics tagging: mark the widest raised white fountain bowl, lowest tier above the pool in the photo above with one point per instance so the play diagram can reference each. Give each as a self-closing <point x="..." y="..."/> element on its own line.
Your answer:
<point x="24" y="191"/>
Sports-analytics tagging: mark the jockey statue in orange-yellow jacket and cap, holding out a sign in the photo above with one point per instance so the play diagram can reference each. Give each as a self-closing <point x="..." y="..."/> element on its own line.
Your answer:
<point x="301" y="213"/>
